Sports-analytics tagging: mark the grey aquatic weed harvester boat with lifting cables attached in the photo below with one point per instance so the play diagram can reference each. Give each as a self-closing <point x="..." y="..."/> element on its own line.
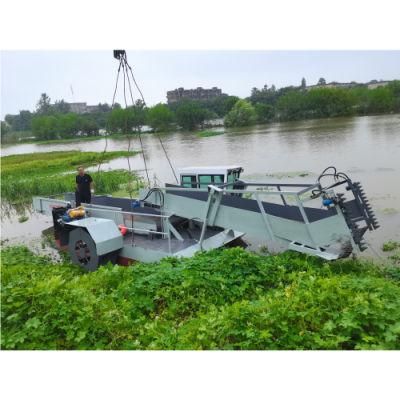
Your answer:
<point x="208" y="208"/>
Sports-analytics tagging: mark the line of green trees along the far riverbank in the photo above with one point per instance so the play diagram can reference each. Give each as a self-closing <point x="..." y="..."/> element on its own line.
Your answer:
<point x="264" y="105"/>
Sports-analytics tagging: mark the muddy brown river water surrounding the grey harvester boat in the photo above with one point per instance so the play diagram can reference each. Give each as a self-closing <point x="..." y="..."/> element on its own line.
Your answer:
<point x="366" y="148"/>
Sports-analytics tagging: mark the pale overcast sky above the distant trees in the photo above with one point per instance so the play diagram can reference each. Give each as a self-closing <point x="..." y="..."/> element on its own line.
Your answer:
<point x="92" y="74"/>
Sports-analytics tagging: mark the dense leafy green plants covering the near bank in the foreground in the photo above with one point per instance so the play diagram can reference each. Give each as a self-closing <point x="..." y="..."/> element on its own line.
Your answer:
<point x="224" y="299"/>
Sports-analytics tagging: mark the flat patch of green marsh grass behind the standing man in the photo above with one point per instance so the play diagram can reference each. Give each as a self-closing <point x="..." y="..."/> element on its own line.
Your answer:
<point x="45" y="174"/>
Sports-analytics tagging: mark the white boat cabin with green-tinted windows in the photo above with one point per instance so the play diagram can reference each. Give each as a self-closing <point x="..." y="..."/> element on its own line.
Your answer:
<point x="201" y="177"/>
